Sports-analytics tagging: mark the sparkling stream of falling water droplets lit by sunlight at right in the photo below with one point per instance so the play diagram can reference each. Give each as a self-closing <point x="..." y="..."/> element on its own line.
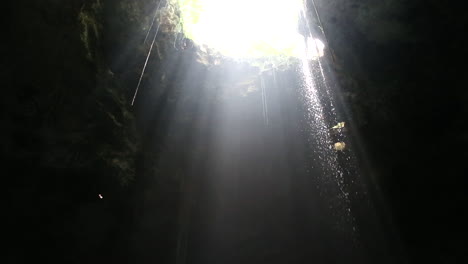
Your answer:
<point x="324" y="149"/>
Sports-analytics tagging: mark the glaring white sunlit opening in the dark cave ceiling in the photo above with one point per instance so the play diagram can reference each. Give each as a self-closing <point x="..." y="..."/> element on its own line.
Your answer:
<point x="246" y="29"/>
